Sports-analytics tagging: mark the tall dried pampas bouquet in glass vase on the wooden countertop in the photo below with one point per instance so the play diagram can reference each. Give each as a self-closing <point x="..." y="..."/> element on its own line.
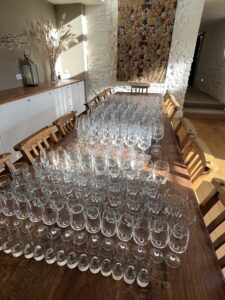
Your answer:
<point x="54" y="40"/>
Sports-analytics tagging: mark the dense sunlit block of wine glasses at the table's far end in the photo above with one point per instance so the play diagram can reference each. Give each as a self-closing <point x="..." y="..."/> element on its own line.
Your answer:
<point x="125" y="123"/>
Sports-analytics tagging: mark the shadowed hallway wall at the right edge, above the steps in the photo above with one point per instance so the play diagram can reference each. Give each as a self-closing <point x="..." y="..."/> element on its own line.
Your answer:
<point x="210" y="74"/>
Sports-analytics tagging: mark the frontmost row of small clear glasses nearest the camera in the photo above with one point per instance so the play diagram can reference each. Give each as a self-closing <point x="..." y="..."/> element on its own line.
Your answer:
<point x="72" y="249"/>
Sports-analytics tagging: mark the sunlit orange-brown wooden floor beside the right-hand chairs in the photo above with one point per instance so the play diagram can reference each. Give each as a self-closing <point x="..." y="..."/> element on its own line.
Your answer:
<point x="212" y="132"/>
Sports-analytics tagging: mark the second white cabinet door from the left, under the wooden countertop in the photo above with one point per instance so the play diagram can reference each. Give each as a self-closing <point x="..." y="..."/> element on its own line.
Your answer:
<point x="42" y="110"/>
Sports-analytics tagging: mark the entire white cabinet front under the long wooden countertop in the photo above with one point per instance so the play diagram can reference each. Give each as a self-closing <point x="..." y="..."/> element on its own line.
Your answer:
<point x="23" y="117"/>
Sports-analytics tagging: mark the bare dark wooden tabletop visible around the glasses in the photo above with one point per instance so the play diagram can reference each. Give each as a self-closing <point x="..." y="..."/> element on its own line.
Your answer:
<point x="198" y="277"/>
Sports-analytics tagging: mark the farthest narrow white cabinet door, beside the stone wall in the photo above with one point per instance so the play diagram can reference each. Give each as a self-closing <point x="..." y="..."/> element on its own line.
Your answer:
<point x="78" y="97"/>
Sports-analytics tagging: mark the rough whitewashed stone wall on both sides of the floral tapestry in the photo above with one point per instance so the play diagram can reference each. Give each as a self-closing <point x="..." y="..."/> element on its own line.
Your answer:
<point x="102" y="47"/>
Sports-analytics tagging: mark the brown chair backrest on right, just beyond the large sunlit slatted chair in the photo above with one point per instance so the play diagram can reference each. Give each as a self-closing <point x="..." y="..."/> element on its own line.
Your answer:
<point x="182" y="131"/>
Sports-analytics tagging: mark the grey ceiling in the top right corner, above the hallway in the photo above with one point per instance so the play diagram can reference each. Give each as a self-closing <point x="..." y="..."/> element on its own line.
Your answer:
<point x="214" y="11"/>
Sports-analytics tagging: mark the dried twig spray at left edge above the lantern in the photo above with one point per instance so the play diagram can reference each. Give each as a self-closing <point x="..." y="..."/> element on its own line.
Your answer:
<point x="11" y="41"/>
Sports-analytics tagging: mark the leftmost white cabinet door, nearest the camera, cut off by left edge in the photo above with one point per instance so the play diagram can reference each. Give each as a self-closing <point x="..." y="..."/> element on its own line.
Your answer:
<point x="14" y="125"/>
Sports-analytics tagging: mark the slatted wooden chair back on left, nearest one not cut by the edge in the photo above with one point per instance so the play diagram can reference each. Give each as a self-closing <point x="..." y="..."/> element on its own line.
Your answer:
<point x="37" y="142"/>
